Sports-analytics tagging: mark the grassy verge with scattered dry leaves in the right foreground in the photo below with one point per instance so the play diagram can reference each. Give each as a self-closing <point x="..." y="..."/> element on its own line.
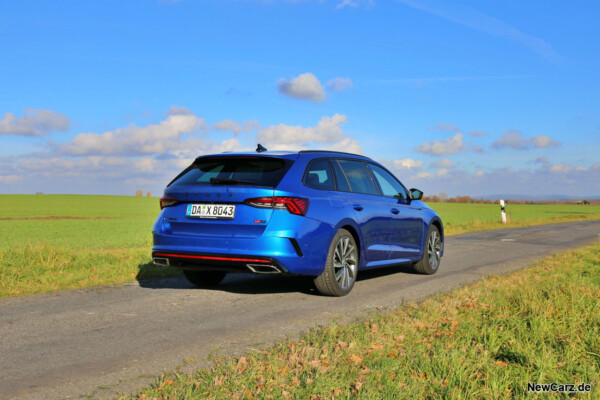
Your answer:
<point x="485" y="341"/>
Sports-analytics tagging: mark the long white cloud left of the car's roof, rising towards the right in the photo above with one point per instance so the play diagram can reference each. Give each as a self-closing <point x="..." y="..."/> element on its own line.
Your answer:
<point x="135" y="140"/>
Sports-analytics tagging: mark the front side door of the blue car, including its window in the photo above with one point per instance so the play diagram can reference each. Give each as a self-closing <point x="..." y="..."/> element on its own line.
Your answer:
<point x="407" y="221"/>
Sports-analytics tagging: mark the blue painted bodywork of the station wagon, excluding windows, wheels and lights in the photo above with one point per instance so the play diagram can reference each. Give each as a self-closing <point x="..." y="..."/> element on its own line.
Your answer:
<point x="382" y="240"/>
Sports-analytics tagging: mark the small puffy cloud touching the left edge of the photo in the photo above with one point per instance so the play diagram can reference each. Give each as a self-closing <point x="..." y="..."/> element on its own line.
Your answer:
<point x="34" y="123"/>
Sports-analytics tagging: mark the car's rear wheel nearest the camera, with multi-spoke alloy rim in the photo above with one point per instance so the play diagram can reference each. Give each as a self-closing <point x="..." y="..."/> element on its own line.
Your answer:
<point x="341" y="267"/>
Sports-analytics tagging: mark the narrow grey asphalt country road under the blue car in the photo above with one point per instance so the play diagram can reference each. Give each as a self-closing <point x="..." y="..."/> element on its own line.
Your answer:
<point x="113" y="339"/>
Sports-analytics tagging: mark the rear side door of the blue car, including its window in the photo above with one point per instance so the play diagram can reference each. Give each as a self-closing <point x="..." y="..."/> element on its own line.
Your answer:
<point x="372" y="215"/>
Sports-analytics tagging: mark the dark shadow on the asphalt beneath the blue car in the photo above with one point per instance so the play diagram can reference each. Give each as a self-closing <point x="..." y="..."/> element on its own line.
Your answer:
<point x="254" y="283"/>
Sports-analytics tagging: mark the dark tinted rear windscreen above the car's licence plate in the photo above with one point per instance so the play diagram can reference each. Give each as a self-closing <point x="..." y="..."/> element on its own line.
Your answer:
<point x="253" y="171"/>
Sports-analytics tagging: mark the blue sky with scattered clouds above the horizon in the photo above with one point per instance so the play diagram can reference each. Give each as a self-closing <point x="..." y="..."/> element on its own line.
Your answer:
<point x="478" y="98"/>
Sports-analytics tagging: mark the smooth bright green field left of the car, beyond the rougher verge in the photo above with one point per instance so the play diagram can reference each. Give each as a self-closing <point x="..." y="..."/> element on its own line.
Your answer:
<point x="110" y="221"/>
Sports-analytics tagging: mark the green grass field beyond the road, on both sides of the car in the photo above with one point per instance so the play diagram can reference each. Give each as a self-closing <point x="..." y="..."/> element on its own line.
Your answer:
<point x="54" y="242"/>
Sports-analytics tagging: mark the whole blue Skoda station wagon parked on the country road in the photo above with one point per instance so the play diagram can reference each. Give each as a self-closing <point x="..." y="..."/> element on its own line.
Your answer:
<point x="323" y="214"/>
